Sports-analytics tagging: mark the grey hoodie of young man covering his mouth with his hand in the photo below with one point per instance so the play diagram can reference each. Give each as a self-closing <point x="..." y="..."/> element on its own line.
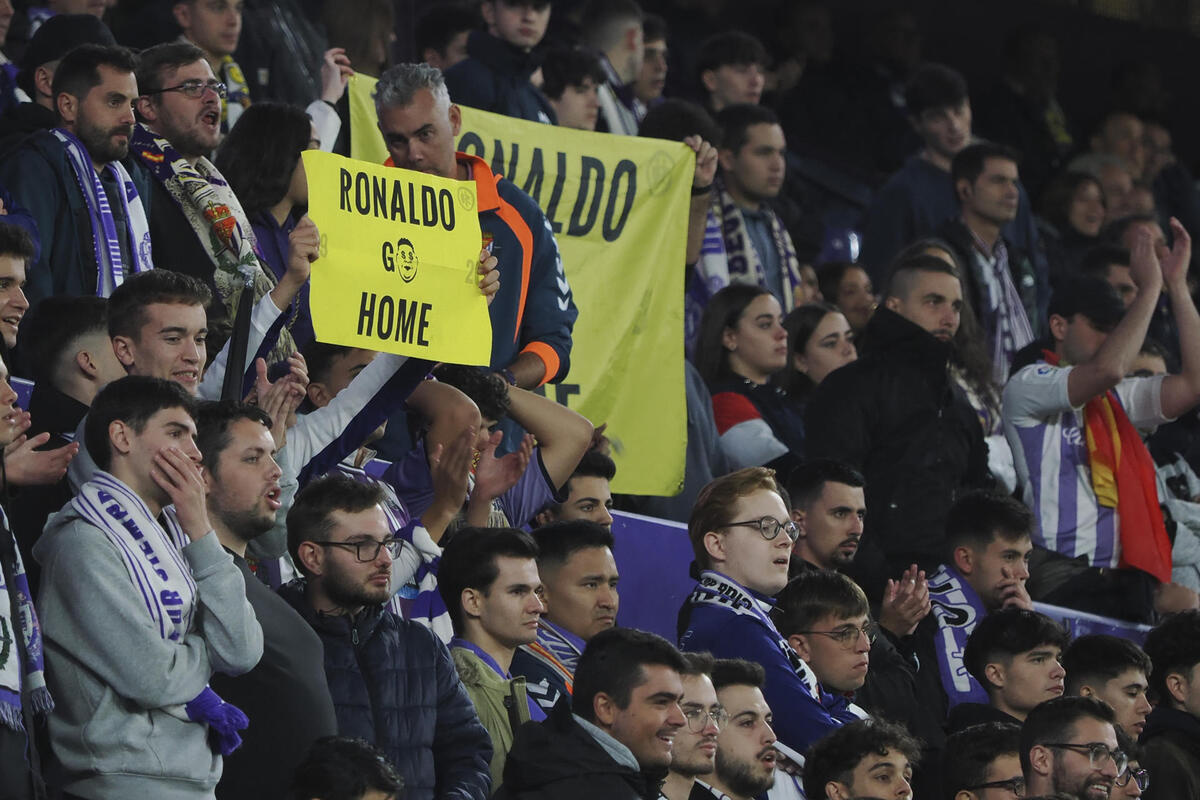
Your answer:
<point x="119" y="729"/>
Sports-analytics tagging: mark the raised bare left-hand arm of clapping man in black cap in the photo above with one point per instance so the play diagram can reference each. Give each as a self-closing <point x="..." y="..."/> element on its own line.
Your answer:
<point x="1112" y="363"/>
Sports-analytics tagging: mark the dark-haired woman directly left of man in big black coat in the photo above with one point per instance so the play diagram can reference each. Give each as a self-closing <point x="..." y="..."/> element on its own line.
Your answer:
<point x="819" y="341"/>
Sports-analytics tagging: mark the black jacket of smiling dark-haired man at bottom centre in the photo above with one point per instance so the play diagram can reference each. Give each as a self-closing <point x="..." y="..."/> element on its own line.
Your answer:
<point x="560" y="760"/>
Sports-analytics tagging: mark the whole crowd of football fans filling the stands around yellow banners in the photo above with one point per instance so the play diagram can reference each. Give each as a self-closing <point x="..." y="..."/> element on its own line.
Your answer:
<point x="907" y="428"/>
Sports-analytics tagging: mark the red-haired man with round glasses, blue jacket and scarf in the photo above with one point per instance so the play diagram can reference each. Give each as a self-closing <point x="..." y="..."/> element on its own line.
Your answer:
<point x="742" y="537"/>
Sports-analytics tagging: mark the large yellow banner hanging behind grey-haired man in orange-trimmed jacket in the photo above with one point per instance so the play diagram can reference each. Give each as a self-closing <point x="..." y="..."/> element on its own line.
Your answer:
<point x="619" y="208"/>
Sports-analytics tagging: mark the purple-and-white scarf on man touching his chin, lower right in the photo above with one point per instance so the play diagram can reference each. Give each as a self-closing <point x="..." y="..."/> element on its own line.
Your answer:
<point x="957" y="609"/>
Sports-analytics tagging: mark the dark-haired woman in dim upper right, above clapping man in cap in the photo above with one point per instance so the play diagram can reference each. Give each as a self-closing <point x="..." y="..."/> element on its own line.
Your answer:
<point x="1071" y="216"/>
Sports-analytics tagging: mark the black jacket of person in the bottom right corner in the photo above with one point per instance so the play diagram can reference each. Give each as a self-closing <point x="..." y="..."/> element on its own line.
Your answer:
<point x="1171" y="750"/>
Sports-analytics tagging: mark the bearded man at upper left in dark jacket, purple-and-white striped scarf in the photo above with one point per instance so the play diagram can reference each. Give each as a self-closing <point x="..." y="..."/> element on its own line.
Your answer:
<point x="91" y="215"/>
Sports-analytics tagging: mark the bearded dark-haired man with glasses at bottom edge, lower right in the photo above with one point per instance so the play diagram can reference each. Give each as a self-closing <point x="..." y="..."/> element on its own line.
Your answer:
<point x="1070" y="745"/>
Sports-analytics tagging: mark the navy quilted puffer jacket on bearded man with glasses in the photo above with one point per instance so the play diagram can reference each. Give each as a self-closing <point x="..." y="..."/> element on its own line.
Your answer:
<point x="394" y="684"/>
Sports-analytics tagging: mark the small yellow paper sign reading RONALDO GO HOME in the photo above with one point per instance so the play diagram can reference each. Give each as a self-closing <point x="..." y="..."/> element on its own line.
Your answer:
<point x="399" y="260"/>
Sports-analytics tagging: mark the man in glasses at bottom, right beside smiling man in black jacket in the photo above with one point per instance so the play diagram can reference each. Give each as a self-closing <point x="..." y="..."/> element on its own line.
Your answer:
<point x="695" y="747"/>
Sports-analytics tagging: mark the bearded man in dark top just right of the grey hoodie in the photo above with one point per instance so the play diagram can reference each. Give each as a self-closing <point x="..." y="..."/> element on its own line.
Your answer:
<point x="286" y="695"/>
